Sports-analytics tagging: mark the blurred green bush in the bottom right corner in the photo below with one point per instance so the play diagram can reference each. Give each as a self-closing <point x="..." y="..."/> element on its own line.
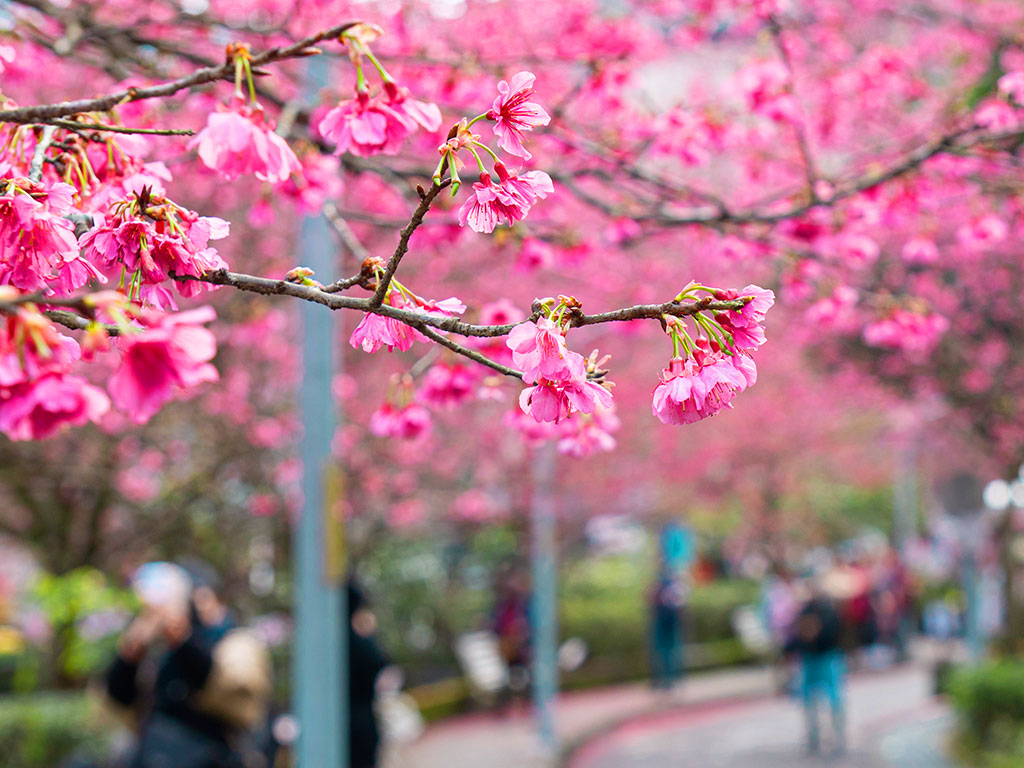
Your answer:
<point x="990" y="705"/>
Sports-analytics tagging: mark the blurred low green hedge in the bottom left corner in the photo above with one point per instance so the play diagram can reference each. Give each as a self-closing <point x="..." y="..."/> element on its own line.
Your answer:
<point x="40" y="731"/>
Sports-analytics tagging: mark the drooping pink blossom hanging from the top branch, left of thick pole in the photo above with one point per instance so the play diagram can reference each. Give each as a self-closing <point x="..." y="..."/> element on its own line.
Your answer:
<point x="239" y="142"/>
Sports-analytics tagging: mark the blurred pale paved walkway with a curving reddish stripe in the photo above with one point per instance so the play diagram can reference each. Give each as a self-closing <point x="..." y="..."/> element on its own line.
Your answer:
<point x="718" y="720"/>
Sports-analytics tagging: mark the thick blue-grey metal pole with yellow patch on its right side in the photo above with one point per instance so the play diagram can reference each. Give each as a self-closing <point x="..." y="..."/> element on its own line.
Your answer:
<point x="320" y="650"/>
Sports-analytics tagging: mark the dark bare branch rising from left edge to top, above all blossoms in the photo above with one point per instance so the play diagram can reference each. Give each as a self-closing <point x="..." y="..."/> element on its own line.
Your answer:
<point x="47" y="113"/>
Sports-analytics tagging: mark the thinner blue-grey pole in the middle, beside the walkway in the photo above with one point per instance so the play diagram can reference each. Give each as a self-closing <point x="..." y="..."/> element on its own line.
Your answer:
<point x="545" y="609"/>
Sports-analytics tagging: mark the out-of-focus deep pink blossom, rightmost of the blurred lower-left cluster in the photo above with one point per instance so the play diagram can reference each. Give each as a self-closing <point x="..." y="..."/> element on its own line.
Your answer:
<point x="172" y="353"/>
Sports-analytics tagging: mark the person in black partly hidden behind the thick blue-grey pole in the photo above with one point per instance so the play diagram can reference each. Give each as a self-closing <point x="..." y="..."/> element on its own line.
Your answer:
<point x="366" y="662"/>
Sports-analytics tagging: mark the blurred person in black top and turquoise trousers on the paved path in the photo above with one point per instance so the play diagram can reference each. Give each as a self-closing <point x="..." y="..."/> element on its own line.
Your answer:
<point x="817" y="642"/>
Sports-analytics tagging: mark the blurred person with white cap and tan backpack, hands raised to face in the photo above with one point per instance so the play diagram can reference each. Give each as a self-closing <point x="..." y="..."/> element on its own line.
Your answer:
<point x="198" y="705"/>
